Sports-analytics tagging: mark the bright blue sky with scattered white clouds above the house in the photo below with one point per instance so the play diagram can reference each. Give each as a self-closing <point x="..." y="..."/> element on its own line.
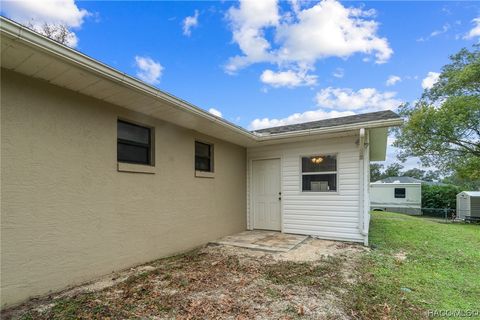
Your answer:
<point x="270" y="63"/>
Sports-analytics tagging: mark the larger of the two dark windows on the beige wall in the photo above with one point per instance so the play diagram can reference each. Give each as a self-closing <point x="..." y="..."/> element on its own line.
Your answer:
<point x="133" y="143"/>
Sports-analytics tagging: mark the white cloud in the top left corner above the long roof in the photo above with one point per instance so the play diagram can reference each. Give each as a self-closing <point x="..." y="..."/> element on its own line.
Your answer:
<point x="54" y="12"/>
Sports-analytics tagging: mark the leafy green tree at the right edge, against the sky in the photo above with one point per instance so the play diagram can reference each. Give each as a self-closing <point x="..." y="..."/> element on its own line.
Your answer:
<point x="443" y="127"/>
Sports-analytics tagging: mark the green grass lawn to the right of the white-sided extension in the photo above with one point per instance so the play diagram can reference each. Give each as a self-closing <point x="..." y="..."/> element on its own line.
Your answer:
<point x="416" y="265"/>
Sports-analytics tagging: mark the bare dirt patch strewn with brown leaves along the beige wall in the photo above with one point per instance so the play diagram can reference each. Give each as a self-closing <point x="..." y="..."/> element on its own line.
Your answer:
<point x="215" y="282"/>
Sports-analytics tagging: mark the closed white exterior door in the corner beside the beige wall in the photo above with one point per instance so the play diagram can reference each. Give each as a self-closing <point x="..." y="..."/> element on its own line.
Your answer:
<point x="266" y="194"/>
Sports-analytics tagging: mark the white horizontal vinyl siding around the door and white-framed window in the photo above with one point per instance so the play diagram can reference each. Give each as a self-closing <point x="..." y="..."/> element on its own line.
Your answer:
<point x="329" y="215"/>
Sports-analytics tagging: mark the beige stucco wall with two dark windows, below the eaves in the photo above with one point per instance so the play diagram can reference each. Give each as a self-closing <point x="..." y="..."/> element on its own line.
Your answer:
<point x="68" y="215"/>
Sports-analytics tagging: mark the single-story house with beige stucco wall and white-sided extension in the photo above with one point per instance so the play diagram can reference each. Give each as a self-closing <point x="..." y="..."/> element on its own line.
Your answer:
<point x="100" y="171"/>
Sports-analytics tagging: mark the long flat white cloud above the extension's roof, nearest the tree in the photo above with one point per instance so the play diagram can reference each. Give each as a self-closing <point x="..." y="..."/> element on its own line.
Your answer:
<point x="363" y="100"/>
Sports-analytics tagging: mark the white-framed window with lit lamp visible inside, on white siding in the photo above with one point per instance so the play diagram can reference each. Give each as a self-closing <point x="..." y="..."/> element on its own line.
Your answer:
<point x="319" y="173"/>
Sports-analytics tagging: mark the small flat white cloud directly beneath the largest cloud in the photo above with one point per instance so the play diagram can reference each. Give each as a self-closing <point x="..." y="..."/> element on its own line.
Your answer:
<point x="288" y="78"/>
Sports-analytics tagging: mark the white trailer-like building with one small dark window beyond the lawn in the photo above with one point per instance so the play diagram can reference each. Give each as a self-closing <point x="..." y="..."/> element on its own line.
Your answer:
<point x="397" y="194"/>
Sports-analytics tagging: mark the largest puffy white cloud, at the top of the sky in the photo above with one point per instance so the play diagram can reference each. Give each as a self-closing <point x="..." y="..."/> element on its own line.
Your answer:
<point x="330" y="29"/>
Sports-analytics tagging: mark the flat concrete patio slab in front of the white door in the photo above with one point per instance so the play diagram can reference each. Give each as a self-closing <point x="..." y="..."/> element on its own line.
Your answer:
<point x="263" y="240"/>
